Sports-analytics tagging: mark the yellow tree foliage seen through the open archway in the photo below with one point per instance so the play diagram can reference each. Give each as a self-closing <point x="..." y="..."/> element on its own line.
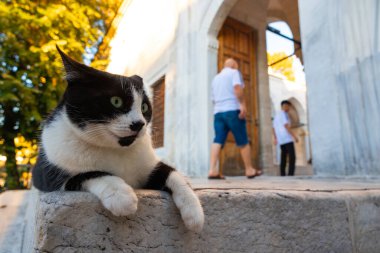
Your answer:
<point x="284" y="67"/>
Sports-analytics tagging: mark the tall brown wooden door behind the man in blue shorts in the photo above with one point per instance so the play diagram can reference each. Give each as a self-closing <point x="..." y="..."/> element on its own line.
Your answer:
<point x="238" y="41"/>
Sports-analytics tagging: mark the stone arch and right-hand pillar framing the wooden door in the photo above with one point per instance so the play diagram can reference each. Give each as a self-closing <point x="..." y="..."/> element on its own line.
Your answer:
<point x="215" y="16"/>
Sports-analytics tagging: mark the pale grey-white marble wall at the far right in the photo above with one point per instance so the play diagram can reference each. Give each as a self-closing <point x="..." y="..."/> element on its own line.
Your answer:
<point x="341" y="48"/>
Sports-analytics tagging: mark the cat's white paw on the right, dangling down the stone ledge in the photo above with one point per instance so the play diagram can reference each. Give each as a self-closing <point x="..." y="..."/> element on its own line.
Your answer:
<point x="193" y="216"/>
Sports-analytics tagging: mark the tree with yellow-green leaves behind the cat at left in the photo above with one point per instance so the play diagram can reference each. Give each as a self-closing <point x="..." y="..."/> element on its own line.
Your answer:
<point x="30" y="68"/>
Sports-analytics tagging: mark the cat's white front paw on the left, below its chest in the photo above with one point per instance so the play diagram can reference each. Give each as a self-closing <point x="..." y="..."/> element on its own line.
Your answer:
<point x="120" y="200"/>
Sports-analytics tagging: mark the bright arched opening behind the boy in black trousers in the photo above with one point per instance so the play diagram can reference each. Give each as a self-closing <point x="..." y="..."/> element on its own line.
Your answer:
<point x="287" y="82"/>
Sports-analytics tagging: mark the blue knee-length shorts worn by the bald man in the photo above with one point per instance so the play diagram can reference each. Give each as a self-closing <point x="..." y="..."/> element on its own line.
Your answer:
<point x="230" y="121"/>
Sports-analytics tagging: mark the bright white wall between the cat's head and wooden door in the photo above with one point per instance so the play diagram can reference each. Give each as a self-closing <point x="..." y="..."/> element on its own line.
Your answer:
<point x="161" y="37"/>
